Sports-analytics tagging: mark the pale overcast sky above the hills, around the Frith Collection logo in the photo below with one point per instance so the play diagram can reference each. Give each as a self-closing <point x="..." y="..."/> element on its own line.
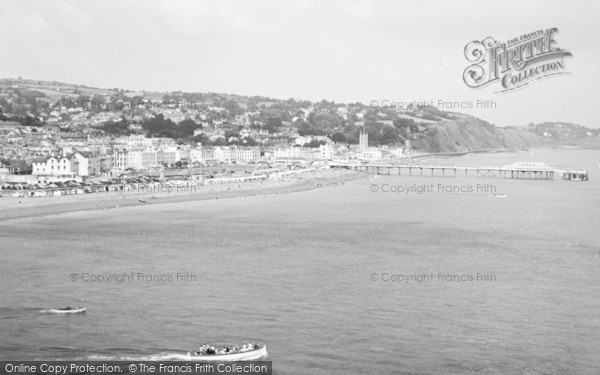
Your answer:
<point x="345" y="51"/>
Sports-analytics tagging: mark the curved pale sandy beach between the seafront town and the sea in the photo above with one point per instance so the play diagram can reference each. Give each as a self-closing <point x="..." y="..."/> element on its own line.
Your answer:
<point x="32" y="207"/>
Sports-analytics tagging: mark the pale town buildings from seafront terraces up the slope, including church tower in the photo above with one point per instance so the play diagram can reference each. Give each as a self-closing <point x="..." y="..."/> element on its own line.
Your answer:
<point x="67" y="141"/>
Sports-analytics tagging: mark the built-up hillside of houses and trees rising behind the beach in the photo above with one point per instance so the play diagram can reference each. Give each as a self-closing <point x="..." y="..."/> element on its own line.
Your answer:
<point x="89" y="134"/>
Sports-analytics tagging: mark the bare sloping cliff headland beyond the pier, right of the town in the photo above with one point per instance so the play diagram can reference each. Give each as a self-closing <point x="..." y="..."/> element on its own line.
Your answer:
<point x="470" y="133"/>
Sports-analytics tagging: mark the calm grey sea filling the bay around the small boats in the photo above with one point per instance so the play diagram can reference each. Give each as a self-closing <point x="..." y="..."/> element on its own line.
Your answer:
<point x="295" y="271"/>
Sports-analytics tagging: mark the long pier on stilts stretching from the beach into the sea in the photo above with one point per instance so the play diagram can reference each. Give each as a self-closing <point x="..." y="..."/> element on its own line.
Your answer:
<point x="451" y="171"/>
